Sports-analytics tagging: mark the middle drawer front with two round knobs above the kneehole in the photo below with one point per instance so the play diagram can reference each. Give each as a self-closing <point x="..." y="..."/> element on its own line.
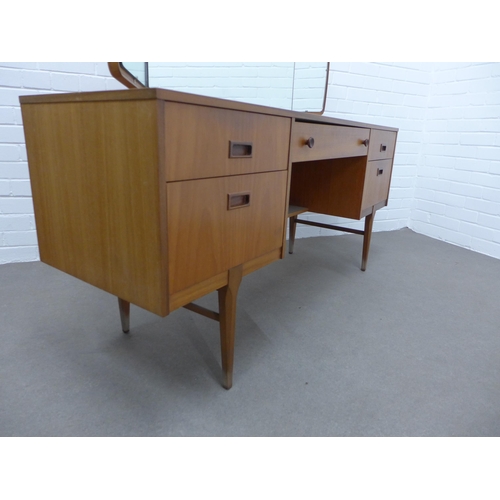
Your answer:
<point x="330" y="141"/>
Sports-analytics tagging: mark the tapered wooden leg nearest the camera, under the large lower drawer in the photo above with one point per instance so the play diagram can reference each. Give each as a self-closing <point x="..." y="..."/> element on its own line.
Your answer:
<point x="227" y="312"/>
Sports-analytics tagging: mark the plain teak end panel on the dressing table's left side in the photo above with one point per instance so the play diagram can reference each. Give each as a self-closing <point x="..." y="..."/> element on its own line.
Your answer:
<point x="94" y="169"/>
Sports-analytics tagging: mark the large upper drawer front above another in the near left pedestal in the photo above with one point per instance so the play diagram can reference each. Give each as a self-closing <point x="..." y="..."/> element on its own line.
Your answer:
<point x="202" y="142"/>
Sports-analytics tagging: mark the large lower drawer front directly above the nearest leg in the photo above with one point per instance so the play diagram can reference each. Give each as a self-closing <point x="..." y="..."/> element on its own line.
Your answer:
<point x="215" y="224"/>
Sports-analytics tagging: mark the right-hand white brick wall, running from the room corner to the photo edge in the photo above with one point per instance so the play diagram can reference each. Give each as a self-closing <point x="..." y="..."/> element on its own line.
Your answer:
<point x="457" y="188"/>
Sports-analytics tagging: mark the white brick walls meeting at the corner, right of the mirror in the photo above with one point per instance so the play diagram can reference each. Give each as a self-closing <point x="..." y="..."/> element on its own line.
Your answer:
<point x="446" y="178"/>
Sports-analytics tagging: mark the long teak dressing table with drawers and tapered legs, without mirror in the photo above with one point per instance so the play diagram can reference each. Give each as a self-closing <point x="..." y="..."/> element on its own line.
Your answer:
<point x="161" y="197"/>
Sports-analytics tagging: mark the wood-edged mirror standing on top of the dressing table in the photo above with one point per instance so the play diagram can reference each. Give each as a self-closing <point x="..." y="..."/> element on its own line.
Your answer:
<point x="299" y="87"/>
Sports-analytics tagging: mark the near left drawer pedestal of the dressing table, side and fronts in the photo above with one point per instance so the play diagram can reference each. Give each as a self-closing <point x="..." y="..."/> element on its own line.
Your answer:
<point x="106" y="214"/>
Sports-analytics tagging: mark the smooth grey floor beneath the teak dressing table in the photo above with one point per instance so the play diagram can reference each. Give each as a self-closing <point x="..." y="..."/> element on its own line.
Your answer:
<point x="411" y="347"/>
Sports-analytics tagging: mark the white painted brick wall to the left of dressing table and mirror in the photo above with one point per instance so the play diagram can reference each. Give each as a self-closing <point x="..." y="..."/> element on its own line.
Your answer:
<point x="18" y="242"/>
